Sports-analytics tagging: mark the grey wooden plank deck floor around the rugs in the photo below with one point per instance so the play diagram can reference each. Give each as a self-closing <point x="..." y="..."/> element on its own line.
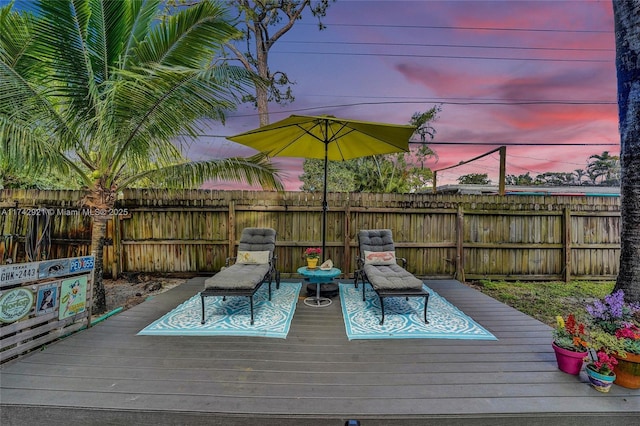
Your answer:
<point x="108" y="375"/>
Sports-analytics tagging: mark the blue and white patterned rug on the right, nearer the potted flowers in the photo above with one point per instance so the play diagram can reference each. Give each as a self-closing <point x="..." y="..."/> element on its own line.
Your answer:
<point x="403" y="319"/>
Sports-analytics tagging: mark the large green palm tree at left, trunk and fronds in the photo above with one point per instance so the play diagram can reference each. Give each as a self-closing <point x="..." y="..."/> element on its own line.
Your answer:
<point x="108" y="93"/>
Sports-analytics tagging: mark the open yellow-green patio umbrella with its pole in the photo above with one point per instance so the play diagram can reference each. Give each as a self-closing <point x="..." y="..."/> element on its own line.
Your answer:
<point x="329" y="138"/>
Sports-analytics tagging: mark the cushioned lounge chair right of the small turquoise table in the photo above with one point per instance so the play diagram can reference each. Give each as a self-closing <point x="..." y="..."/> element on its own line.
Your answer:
<point x="377" y="265"/>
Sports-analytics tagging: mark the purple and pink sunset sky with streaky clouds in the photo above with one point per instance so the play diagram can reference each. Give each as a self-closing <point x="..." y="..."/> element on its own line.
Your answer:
<point x="505" y="73"/>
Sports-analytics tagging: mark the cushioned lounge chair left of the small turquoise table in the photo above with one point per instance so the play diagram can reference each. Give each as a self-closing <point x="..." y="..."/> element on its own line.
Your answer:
<point x="254" y="265"/>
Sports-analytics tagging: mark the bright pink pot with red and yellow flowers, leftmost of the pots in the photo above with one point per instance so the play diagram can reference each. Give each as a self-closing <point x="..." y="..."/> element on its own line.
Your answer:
<point x="569" y="344"/>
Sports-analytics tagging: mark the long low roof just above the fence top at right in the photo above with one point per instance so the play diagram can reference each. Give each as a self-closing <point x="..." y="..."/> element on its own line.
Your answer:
<point x="578" y="191"/>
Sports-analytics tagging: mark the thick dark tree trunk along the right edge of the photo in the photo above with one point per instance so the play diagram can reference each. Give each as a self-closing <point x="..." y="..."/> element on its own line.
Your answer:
<point x="627" y="32"/>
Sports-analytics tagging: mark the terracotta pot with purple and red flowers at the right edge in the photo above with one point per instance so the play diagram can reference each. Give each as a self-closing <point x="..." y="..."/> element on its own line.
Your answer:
<point x="616" y="330"/>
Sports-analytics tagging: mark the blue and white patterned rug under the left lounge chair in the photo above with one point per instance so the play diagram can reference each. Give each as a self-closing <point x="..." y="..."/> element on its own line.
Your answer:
<point x="232" y="317"/>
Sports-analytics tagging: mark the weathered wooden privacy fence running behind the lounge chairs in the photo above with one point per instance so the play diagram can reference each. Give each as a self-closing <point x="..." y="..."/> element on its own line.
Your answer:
<point x="442" y="236"/>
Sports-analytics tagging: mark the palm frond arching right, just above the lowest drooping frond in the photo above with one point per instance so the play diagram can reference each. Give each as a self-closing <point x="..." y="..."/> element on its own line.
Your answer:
<point x="164" y="102"/>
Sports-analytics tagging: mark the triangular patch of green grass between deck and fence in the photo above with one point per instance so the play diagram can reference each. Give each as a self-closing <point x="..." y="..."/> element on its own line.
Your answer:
<point x="545" y="300"/>
